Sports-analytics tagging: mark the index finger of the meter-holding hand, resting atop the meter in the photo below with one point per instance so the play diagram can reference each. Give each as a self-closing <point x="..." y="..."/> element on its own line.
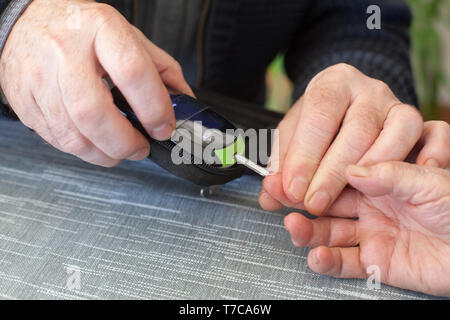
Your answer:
<point x="131" y="68"/>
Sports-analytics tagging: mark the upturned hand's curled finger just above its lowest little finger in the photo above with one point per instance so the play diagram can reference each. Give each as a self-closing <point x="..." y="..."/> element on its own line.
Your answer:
<point x="331" y="232"/>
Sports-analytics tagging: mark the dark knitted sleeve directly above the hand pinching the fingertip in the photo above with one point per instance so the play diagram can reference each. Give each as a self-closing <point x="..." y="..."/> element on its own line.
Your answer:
<point x="336" y="31"/>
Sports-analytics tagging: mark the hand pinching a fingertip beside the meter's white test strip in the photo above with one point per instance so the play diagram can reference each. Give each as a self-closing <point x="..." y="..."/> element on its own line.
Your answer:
<point x="343" y="118"/>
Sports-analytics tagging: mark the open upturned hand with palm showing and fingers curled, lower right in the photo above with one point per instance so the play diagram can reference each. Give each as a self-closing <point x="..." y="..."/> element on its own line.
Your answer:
<point x="403" y="228"/>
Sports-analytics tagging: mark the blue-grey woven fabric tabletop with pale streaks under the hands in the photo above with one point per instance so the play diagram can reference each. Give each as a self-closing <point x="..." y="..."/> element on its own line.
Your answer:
<point x="136" y="232"/>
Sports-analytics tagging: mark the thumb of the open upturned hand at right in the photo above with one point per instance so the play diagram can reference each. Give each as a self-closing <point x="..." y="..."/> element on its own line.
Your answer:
<point x="400" y="180"/>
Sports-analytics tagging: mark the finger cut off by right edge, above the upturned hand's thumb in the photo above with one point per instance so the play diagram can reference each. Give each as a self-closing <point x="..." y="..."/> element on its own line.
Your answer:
<point x="436" y="145"/>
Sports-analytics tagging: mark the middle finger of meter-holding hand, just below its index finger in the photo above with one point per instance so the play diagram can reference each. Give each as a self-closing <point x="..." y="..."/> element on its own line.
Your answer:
<point x="90" y="106"/>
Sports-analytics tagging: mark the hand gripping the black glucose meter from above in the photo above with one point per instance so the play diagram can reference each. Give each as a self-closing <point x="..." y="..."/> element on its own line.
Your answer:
<point x="52" y="69"/>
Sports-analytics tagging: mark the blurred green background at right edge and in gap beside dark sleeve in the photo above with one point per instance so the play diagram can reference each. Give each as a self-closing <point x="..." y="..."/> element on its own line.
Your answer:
<point x="430" y="35"/>
